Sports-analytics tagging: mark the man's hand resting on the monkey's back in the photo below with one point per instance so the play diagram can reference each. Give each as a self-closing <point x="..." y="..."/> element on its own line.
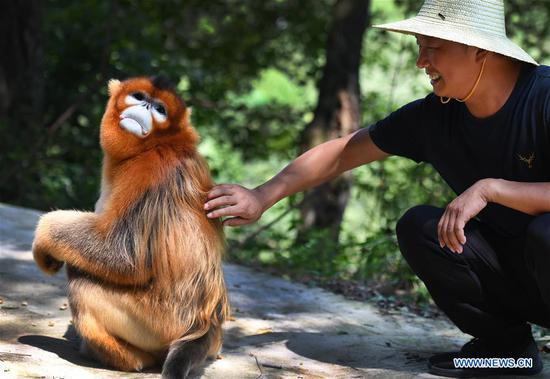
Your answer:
<point x="241" y="205"/>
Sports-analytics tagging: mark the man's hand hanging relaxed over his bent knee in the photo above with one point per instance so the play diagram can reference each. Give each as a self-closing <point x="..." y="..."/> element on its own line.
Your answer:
<point x="450" y="230"/>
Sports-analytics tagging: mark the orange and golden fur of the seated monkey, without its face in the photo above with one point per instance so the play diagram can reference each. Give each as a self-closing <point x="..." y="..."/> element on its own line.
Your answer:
<point x="145" y="268"/>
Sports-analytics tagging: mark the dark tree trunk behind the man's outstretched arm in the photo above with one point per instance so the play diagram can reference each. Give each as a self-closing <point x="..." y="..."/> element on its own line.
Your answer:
<point x="337" y="114"/>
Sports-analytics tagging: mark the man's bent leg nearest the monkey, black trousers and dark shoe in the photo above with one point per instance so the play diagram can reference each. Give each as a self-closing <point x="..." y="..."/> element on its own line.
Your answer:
<point x="471" y="289"/>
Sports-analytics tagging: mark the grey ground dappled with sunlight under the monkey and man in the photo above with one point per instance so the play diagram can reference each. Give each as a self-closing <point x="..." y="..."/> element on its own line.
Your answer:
<point x="279" y="329"/>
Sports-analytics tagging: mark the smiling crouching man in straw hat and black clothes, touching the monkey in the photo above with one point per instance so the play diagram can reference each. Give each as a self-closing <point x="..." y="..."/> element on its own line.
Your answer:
<point x="486" y="130"/>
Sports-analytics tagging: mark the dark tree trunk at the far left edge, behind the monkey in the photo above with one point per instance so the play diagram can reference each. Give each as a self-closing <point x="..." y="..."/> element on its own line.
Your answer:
<point x="21" y="89"/>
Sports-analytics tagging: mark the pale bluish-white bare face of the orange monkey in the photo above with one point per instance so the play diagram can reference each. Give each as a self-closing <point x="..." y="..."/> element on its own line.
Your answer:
<point x="142" y="113"/>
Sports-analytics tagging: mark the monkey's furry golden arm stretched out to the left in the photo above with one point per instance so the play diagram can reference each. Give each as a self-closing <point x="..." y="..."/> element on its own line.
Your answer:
<point x="73" y="237"/>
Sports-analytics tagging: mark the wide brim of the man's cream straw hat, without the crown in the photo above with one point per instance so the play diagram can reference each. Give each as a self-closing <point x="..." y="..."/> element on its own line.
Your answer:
<point x="458" y="33"/>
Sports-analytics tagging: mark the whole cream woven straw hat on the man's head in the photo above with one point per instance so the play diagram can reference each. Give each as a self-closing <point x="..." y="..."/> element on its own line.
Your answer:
<point x="478" y="23"/>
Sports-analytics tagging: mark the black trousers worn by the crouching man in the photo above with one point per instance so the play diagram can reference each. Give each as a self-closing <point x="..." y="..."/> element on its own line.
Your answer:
<point x="495" y="286"/>
